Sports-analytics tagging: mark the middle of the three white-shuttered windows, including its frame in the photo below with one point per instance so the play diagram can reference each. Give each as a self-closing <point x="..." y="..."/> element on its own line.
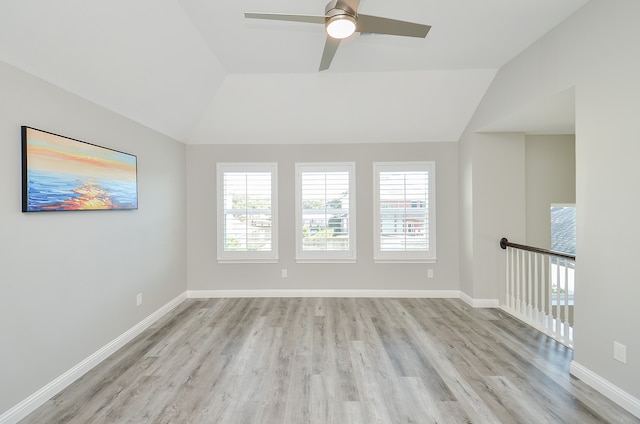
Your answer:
<point x="325" y="212"/>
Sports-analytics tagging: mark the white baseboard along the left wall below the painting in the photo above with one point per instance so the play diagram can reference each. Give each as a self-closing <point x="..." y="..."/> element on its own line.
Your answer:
<point x="37" y="399"/>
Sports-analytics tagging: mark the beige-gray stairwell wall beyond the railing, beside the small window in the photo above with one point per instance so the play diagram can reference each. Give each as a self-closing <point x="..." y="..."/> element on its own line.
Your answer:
<point x="550" y="173"/>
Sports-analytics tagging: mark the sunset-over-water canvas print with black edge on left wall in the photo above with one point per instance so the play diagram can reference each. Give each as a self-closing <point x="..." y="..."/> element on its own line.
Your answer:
<point x="61" y="174"/>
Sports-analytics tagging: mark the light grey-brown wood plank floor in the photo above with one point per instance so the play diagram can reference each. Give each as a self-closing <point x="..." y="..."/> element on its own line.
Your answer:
<point x="346" y="361"/>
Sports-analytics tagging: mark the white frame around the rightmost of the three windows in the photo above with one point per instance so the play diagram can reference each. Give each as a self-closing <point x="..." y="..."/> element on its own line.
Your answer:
<point x="406" y="256"/>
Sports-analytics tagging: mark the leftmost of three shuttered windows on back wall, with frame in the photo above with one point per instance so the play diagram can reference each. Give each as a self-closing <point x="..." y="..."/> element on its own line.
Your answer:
<point x="247" y="215"/>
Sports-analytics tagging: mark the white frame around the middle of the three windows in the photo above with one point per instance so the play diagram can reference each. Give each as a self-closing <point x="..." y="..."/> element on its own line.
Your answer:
<point x="326" y="256"/>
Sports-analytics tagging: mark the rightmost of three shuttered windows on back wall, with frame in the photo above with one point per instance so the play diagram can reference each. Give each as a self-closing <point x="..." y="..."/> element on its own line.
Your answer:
<point x="404" y="212"/>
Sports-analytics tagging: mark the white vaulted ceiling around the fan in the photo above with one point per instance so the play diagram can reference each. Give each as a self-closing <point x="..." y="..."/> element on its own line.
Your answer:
<point x="200" y="72"/>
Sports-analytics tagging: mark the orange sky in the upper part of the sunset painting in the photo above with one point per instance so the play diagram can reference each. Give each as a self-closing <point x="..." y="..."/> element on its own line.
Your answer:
<point x="63" y="155"/>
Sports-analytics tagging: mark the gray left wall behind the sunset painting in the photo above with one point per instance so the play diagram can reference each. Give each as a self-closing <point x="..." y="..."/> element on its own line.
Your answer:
<point x="69" y="280"/>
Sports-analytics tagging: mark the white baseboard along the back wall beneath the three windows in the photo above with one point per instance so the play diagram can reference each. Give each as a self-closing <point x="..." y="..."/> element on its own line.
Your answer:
<point x="213" y="294"/>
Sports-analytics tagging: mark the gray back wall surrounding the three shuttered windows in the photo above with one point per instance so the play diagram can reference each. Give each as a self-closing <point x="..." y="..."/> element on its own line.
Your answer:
<point x="204" y="273"/>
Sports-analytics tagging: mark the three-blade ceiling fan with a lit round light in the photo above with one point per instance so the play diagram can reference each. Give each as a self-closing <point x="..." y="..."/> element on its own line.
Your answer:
<point x="341" y="19"/>
